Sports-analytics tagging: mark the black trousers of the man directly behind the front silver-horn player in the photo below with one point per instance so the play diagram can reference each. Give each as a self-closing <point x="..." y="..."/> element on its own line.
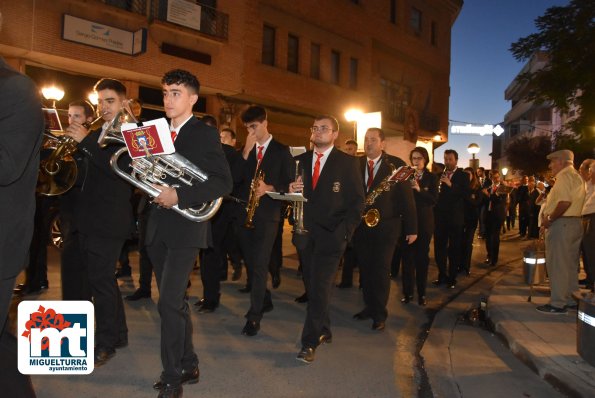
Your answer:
<point x="99" y="256"/>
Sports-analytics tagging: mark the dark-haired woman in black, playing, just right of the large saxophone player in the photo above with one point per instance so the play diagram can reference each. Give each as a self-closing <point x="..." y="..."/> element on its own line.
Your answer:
<point x="416" y="256"/>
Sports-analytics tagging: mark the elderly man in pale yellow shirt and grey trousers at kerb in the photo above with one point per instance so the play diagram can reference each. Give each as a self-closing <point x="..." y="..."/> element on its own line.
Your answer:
<point x="563" y="232"/>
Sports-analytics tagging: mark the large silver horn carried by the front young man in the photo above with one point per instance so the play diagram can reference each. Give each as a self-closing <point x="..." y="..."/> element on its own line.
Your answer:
<point x="153" y="169"/>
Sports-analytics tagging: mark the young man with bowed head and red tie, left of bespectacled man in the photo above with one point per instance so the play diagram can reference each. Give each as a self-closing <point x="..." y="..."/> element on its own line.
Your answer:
<point x="262" y="152"/>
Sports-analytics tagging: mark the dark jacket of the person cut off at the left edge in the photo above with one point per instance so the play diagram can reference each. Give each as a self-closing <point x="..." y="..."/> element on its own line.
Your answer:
<point x="21" y="127"/>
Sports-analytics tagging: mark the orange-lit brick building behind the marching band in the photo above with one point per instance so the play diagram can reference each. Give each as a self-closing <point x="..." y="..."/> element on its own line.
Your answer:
<point x="298" y="58"/>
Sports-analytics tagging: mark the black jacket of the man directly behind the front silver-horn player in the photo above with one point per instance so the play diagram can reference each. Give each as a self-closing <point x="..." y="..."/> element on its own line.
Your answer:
<point x="103" y="207"/>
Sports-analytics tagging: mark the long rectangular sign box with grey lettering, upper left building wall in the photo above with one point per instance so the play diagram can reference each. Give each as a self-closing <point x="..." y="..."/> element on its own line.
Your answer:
<point x="103" y="36"/>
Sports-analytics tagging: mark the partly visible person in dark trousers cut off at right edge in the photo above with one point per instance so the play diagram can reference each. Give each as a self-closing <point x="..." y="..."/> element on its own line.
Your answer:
<point x="588" y="214"/>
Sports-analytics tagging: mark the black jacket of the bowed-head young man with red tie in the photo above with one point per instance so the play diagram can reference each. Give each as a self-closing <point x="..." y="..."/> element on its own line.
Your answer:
<point x="276" y="165"/>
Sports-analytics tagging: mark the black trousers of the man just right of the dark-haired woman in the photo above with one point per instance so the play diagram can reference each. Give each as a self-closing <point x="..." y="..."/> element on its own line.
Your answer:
<point x="447" y="246"/>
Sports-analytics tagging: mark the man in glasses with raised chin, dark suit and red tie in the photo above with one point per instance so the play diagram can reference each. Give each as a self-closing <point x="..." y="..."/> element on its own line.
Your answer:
<point x="333" y="186"/>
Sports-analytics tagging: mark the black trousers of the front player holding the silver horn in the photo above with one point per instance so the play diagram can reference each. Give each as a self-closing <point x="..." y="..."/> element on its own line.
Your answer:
<point x="172" y="271"/>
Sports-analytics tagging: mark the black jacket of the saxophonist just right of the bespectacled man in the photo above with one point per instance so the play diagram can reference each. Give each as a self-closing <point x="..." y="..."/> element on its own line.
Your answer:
<point x="396" y="205"/>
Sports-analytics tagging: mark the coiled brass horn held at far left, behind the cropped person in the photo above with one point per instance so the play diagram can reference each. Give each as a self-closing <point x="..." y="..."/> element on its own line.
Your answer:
<point x="58" y="172"/>
